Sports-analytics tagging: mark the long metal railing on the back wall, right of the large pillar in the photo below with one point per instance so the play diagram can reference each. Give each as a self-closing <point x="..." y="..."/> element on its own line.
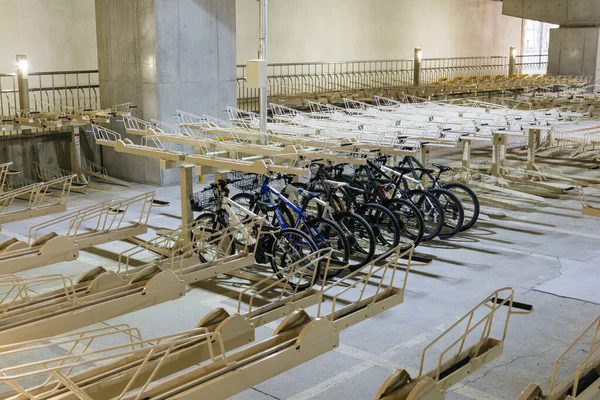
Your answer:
<point x="289" y="79"/>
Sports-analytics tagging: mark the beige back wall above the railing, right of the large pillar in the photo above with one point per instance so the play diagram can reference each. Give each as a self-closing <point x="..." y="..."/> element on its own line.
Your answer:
<point x="340" y="30"/>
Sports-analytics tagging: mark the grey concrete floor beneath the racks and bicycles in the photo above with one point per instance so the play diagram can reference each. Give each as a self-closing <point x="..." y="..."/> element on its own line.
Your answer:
<point x="524" y="250"/>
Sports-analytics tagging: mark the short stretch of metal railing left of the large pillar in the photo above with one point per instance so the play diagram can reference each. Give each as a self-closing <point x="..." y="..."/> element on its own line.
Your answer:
<point x="54" y="91"/>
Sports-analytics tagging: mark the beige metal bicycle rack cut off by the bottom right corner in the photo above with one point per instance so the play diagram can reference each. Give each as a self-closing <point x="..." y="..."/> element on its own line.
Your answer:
<point x="584" y="383"/>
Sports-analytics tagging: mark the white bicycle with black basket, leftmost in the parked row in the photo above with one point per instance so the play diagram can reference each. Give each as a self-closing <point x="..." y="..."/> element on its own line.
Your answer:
<point x="280" y="247"/>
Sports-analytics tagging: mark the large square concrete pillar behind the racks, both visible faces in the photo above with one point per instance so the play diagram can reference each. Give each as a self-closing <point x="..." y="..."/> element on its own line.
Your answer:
<point x="164" y="55"/>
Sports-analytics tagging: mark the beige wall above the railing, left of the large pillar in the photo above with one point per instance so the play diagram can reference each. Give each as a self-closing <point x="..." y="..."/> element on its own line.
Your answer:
<point x="55" y="34"/>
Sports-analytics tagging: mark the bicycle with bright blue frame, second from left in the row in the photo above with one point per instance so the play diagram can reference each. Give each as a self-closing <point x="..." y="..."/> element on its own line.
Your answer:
<point x="279" y="210"/>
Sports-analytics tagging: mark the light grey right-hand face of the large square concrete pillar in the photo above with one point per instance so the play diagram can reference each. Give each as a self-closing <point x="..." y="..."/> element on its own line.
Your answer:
<point x="195" y="48"/>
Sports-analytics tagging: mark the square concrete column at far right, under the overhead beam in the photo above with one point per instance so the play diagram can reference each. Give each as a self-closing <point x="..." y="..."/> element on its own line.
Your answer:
<point x="575" y="51"/>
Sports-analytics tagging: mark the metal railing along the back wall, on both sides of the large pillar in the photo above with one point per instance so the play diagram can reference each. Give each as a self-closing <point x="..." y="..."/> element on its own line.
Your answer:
<point x="54" y="91"/>
